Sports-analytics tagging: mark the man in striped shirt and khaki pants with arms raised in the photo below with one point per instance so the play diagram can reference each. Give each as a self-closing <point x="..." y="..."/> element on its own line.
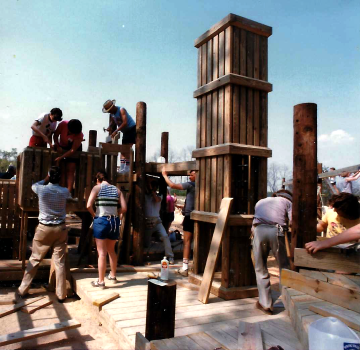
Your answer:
<point x="50" y="233"/>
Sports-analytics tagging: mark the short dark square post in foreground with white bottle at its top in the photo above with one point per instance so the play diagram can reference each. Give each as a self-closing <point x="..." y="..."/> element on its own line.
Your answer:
<point x="160" y="313"/>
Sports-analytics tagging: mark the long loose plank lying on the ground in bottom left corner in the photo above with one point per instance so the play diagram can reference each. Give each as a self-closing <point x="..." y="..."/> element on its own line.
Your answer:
<point x="38" y="332"/>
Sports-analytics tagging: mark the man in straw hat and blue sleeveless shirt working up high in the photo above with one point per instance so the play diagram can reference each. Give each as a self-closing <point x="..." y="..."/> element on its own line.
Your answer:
<point x="120" y="120"/>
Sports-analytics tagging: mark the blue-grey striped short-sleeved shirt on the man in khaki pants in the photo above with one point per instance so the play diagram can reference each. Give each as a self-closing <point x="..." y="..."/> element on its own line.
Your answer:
<point x="52" y="202"/>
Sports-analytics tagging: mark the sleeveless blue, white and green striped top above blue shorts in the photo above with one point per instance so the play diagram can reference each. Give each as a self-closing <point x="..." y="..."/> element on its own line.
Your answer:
<point x="107" y="201"/>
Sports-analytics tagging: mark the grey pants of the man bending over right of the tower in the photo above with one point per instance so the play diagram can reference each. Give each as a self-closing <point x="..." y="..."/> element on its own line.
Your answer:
<point x="266" y="238"/>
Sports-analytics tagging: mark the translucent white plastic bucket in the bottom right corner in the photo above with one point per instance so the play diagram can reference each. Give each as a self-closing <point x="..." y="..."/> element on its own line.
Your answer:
<point x="329" y="333"/>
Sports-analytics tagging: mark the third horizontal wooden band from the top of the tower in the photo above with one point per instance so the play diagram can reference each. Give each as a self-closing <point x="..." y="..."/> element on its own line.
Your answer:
<point x="232" y="148"/>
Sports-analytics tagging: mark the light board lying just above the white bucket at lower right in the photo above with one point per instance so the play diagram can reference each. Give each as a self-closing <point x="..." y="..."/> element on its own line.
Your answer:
<point x="350" y="318"/>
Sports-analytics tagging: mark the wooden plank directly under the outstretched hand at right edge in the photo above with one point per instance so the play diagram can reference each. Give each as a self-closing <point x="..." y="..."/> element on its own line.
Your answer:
<point x="327" y="260"/>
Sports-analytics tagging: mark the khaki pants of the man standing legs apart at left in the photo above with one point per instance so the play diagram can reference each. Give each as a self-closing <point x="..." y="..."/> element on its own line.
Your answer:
<point x="47" y="237"/>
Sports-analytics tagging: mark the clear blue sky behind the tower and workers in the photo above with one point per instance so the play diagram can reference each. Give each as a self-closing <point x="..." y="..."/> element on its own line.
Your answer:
<point x="77" y="54"/>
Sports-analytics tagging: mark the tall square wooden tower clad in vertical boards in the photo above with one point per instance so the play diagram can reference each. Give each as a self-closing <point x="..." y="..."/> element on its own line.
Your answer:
<point x="231" y="154"/>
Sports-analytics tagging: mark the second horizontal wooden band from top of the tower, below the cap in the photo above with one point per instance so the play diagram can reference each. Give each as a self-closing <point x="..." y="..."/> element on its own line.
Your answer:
<point x="236" y="79"/>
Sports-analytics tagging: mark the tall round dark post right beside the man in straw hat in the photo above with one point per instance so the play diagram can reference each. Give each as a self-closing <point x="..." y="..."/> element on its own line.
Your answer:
<point x="140" y="159"/>
